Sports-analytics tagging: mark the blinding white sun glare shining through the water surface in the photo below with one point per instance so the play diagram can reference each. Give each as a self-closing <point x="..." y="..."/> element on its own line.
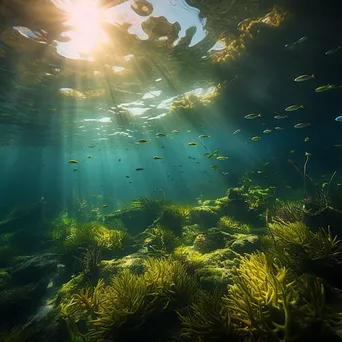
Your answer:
<point x="85" y="18"/>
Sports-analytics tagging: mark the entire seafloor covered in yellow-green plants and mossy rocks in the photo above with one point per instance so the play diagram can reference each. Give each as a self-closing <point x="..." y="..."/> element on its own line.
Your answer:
<point x="244" y="267"/>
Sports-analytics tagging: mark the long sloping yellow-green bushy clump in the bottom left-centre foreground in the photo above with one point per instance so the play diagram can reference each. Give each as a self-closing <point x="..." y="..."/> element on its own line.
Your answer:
<point x="128" y="302"/>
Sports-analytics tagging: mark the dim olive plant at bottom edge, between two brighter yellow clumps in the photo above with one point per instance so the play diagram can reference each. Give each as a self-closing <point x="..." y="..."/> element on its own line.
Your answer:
<point x="206" y="319"/>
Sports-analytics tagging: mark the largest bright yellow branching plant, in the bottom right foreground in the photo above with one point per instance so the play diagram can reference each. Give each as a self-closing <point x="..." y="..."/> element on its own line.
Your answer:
<point x="267" y="302"/>
